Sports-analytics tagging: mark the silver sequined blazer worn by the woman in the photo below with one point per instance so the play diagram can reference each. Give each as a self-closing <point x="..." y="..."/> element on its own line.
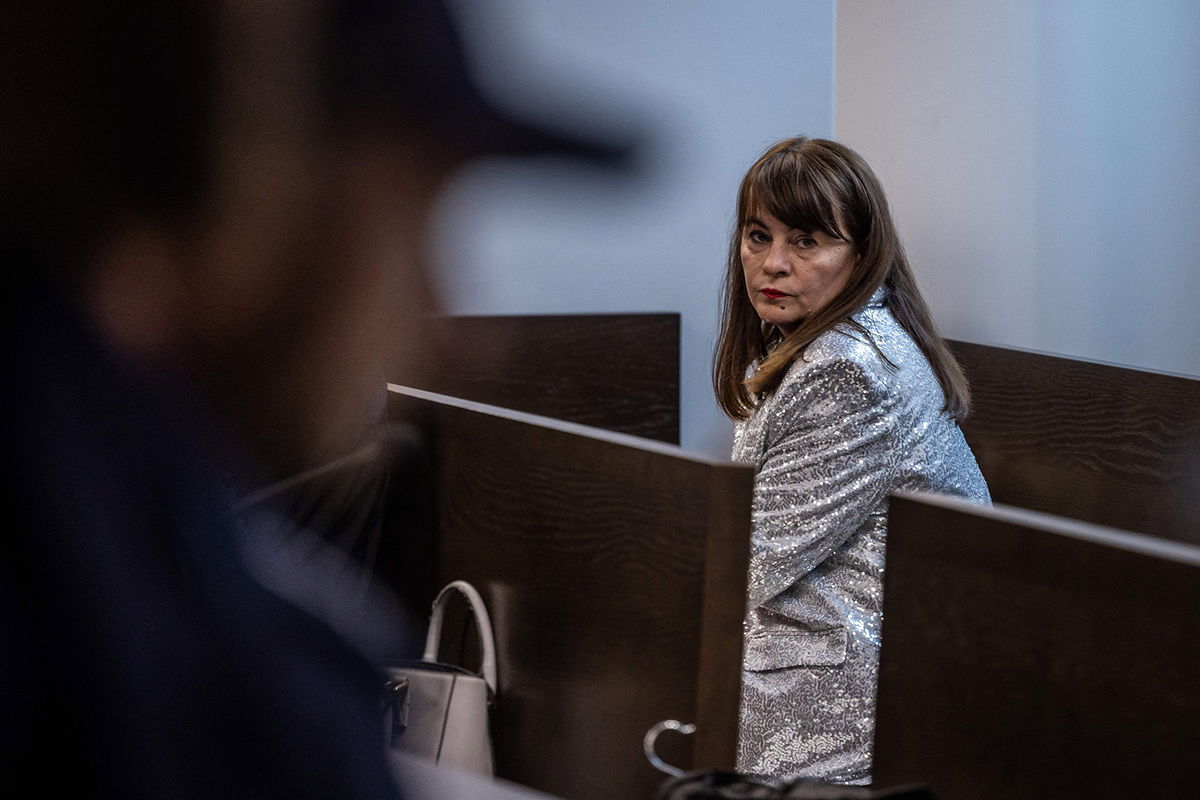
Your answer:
<point x="843" y="431"/>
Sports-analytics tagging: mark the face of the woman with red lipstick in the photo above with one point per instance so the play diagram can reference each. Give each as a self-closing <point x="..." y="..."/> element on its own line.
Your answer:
<point x="791" y="274"/>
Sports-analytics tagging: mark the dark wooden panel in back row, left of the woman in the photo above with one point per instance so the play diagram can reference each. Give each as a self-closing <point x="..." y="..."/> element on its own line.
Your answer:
<point x="617" y="372"/>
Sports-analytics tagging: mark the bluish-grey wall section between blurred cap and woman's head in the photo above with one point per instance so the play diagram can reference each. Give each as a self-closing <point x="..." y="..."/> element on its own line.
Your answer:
<point x="711" y="83"/>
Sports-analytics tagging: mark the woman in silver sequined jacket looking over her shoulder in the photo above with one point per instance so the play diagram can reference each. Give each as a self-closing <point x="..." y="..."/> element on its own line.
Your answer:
<point x="843" y="393"/>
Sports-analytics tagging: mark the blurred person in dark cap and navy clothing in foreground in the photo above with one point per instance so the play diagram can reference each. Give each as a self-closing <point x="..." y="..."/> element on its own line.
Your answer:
<point x="212" y="226"/>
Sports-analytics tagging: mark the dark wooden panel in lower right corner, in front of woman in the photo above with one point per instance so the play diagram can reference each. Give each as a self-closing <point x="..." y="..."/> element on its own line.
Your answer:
<point x="1036" y="658"/>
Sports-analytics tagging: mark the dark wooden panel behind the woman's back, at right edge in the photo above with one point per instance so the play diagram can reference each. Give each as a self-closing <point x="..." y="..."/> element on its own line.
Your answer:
<point x="1093" y="442"/>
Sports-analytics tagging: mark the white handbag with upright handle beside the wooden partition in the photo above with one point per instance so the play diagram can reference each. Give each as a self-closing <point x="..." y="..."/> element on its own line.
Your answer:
<point x="441" y="712"/>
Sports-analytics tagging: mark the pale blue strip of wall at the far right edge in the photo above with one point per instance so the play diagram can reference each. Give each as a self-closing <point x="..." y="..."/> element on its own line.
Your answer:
<point x="1119" y="182"/>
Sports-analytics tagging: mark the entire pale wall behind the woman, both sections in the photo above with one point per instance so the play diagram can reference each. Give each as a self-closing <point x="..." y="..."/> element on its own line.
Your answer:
<point x="1041" y="157"/>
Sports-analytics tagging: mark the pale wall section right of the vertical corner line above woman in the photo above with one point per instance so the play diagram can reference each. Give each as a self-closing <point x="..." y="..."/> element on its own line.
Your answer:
<point x="1043" y="161"/>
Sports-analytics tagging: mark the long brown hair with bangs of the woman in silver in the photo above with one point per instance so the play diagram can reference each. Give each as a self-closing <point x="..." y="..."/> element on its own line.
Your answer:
<point x="821" y="185"/>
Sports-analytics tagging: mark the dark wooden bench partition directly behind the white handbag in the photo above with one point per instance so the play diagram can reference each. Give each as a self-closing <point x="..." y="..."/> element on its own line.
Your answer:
<point x="615" y="573"/>
